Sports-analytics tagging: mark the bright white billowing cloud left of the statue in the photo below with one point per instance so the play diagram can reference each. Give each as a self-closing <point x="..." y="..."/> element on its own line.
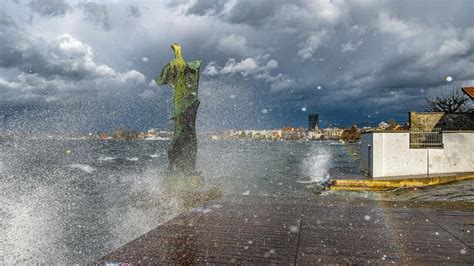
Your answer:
<point x="75" y="72"/>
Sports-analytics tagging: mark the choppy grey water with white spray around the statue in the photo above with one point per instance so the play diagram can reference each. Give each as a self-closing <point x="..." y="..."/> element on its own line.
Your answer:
<point x="60" y="208"/>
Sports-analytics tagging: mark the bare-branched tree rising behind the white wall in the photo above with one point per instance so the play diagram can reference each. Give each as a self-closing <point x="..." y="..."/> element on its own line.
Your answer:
<point x="453" y="101"/>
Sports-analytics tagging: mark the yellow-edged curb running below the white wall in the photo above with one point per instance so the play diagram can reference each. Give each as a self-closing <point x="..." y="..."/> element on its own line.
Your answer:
<point x="374" y="185"/>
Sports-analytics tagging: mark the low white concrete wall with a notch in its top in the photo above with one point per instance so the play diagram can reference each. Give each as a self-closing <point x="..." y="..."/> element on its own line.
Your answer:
<point x="391" y="155"/>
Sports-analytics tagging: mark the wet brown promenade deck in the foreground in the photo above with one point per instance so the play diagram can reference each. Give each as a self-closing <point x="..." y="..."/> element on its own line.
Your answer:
<point x="323" y="229"/>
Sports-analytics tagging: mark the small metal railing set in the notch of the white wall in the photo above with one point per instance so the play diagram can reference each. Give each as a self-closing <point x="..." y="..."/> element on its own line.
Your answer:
<point x="420" y="138"/>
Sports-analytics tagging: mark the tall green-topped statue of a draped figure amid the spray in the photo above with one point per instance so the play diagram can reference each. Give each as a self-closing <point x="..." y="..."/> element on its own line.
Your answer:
<point x="184" y="79"/>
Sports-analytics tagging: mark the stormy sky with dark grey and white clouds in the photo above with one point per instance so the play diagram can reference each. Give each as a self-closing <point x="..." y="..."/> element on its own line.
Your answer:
<point x="70" y="66"/>
